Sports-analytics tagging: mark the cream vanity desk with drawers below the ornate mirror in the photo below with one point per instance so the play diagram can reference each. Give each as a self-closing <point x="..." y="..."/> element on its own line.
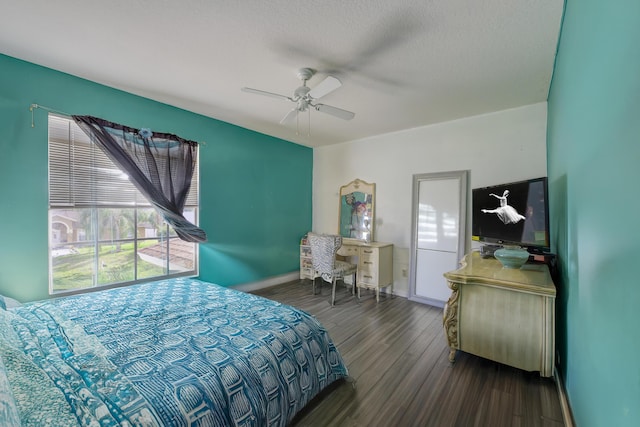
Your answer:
<point x="375" y="264"/>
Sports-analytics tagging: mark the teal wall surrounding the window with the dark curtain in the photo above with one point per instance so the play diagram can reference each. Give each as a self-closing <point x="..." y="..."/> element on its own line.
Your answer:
<point x="255" y="190"/>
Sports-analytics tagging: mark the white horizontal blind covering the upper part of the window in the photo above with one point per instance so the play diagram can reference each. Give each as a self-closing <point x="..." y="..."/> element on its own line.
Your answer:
<point x="81" y="175"/>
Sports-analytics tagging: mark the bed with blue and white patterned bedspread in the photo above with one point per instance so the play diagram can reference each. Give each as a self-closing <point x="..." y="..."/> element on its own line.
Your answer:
<point x="178" y="352"/>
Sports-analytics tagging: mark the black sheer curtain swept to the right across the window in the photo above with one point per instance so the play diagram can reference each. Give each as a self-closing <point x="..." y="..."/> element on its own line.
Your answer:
<point x="160" y="165"/>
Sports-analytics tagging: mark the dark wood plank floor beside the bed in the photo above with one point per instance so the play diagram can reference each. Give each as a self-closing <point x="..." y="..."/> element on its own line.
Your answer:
<point x="397" y="356"/>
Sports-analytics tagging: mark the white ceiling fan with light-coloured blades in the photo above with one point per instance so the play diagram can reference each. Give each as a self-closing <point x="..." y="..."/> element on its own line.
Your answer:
<point x="306" y="98"/>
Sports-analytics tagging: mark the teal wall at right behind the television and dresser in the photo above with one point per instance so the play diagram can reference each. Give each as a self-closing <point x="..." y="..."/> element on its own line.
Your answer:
<point x="593" y="151"/>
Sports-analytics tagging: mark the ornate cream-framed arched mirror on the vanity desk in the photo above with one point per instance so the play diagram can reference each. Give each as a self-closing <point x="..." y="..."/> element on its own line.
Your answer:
<point x="352" y="195"/>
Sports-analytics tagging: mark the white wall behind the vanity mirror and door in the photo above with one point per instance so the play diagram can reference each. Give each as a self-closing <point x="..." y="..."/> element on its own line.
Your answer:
<point x="499" y="147"/>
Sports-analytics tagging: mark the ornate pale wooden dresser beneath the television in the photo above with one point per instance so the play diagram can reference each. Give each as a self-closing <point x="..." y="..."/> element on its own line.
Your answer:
<point x="506" y="315"/>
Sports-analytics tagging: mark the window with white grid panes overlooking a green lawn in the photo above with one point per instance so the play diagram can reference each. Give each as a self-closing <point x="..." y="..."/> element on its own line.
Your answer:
<point x="102" y="231"/>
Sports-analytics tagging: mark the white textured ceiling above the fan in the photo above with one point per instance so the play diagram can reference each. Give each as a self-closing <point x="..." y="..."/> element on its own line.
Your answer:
<point x="402" y="63"/>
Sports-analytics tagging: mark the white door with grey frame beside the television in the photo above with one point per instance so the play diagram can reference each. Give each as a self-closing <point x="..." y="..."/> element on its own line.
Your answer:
<point x="438" y="233"/>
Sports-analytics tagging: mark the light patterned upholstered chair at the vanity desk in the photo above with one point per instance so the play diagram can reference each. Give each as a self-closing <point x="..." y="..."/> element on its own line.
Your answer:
<point x="323" y="257"/>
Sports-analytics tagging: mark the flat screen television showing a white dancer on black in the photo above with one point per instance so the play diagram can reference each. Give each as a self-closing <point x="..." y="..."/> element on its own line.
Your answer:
<point x="515" y="213"/>
